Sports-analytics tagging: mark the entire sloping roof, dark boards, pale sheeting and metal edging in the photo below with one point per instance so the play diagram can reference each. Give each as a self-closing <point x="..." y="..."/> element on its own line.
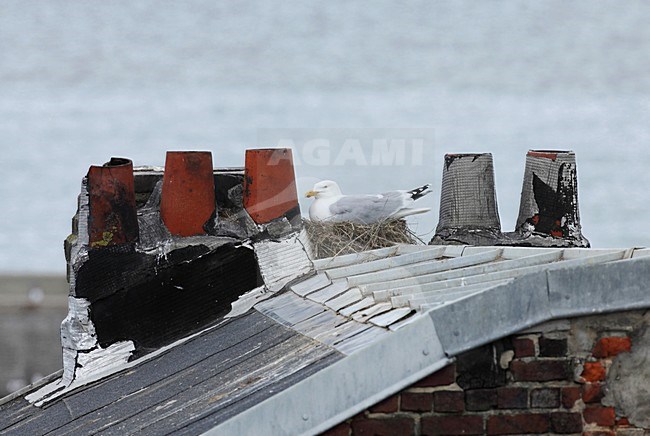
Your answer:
<point x="324" y="339"/>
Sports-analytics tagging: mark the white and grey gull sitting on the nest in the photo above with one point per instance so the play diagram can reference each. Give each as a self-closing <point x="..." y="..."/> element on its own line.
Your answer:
<point x="332" y="205"/>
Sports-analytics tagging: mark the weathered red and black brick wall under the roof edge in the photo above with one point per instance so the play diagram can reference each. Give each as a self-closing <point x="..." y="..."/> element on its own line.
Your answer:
<point x="552" y="379"/>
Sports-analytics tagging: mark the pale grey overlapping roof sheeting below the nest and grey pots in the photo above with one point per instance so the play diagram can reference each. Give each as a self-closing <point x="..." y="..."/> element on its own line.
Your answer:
<point x="391" y="284"/>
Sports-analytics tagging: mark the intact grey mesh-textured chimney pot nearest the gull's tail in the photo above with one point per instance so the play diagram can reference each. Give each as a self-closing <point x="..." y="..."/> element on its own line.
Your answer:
<point x="468" y="203"/>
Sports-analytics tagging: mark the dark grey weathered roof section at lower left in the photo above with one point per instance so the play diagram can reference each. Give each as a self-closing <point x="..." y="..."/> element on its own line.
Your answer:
<point x="186" y="390"/>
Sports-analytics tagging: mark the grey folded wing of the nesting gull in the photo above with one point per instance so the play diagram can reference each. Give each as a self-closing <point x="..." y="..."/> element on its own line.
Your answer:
<point x="367" y="209"/>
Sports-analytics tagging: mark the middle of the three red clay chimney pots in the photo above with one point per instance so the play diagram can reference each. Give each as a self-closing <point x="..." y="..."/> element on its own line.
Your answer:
<point x="188" y="198"/>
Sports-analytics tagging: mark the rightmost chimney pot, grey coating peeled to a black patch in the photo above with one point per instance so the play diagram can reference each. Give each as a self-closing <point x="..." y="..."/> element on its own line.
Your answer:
<point x="549" y="200"/>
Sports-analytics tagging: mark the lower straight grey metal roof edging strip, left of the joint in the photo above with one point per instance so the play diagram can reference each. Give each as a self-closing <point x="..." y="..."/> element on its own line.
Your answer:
<point x="297" y="410"/>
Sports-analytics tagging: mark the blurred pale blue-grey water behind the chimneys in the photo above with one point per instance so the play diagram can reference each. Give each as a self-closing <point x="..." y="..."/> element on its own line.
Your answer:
<point x="83" y="81"/>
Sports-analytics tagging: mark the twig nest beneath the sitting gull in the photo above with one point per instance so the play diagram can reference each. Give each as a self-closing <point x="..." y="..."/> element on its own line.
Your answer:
<point x="334" y="239"/>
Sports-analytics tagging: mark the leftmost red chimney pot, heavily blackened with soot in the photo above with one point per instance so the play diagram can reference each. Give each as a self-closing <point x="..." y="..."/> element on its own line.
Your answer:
<point x="112" y="218"/>
